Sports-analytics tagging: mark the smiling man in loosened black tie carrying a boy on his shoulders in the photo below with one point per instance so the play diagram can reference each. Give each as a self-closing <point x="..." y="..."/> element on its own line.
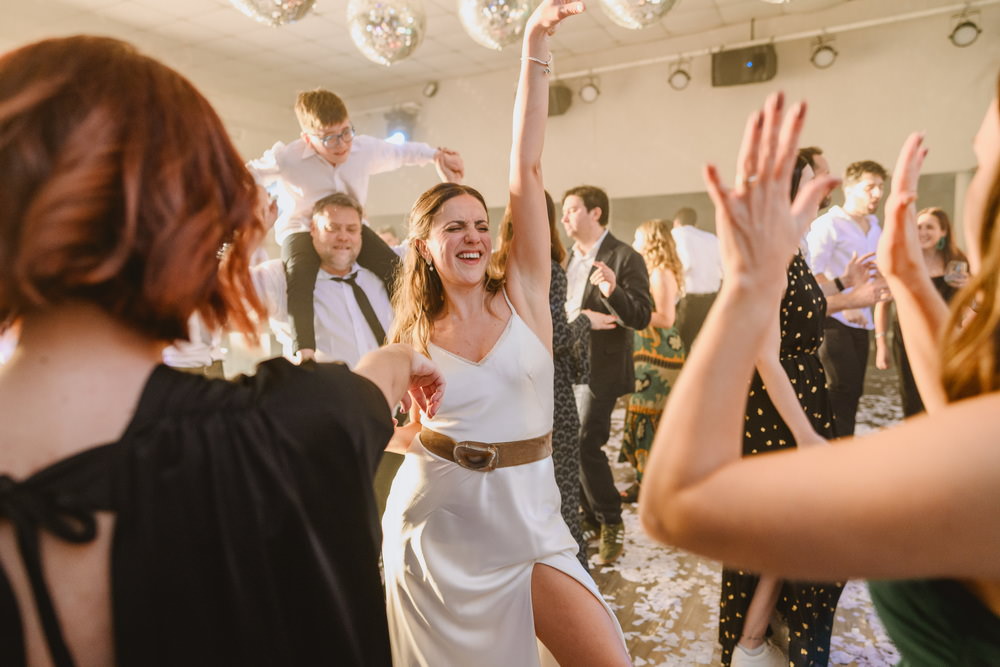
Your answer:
<point x="351" y="305"/>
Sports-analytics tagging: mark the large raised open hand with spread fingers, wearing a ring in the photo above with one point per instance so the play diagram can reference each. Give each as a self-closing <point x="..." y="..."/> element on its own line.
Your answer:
<point x="759" y="228"/>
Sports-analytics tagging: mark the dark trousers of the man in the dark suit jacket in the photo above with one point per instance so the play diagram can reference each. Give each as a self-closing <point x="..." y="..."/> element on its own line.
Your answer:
<point x="600" y="498"/>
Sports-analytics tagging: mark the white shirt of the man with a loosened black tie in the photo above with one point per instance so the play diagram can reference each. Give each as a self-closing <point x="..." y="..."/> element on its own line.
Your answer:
<point x="342" y="332"/>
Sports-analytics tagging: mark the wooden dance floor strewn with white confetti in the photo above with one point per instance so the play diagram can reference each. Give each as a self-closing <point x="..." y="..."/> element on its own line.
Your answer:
<point x="667" y="600"/>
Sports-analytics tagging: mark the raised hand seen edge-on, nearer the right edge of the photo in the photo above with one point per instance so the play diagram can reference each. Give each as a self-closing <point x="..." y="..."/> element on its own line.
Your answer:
<point x="899" y="253"/>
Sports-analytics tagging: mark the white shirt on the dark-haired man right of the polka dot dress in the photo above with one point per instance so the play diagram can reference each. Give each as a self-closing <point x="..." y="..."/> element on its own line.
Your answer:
<point x="832" y="239"/>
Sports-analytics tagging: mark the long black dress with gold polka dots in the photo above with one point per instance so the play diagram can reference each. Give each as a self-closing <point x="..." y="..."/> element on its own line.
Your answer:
<point x="808" y="607"/>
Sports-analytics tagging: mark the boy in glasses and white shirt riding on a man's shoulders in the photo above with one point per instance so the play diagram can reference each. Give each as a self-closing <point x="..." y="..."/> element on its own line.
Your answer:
<point x="328" y="157"/>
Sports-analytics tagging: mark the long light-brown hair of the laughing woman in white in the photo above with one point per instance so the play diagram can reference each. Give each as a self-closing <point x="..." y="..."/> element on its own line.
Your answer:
<point x="418" y="299"/>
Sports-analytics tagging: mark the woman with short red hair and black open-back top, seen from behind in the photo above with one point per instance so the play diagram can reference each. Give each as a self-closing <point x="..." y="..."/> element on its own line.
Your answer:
<point x="147" y="516"/>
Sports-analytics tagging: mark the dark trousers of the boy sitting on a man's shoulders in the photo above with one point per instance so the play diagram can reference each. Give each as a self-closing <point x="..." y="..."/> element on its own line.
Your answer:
<point x="302" y="264"/>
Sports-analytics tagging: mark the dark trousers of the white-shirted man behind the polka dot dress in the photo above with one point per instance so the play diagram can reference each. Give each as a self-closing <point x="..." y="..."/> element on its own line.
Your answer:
<point x="844" y="354"/>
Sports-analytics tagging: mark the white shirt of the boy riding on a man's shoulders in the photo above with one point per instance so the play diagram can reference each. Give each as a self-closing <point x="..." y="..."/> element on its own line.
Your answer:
<point x="299" y="176"/>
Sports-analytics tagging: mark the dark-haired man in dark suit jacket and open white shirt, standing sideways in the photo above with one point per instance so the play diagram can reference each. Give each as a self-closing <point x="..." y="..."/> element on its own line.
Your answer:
<point x="607" y="282"/>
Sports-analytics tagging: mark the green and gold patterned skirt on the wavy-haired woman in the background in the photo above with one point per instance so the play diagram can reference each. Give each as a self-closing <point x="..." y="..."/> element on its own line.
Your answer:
<point x="658" y="358"/>
